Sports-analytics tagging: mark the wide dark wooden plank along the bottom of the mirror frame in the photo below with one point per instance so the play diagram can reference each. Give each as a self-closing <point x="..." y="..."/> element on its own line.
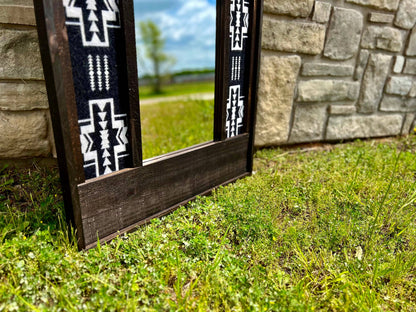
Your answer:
<point x="118" y="201"/>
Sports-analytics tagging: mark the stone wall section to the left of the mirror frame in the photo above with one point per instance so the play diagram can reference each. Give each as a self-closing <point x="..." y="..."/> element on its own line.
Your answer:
<point x="25" y="129"/>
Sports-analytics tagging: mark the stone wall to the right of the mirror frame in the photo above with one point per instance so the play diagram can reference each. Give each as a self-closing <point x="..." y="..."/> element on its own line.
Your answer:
<point x="336" y="69"/>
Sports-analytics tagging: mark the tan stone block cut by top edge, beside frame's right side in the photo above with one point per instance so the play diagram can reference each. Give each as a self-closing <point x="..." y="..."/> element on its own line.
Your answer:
<point x="298" y="8"/>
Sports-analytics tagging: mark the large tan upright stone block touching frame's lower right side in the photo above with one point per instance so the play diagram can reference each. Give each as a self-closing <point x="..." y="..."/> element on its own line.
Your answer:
<point x="277" y="85"/>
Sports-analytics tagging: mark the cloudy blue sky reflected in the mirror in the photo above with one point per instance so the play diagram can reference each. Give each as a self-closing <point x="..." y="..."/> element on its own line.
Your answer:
<point x="189" y="29"/>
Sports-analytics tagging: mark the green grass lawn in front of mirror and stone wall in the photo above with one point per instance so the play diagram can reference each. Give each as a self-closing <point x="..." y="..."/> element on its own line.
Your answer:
<point x="330" y="230"/>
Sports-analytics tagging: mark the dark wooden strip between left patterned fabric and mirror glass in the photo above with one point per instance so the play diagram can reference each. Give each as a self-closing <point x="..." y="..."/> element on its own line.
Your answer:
<point x="132" y="85"/>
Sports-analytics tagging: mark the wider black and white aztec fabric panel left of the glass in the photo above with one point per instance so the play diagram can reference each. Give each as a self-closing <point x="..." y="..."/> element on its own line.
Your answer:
<point x="95" y="34"/>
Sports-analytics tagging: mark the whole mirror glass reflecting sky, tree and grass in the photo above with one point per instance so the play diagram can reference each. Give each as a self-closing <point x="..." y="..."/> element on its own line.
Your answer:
<point x="176" y="66"/>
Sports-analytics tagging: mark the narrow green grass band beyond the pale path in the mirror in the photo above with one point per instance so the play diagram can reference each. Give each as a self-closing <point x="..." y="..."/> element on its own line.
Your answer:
<point x="146" y="92"/>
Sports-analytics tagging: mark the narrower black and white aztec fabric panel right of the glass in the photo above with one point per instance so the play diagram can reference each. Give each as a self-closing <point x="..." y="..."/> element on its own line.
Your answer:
<point x="237" y="84"/>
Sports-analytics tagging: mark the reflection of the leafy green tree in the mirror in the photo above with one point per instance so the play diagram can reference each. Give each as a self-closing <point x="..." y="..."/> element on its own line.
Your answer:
<point x="154" y="45"/>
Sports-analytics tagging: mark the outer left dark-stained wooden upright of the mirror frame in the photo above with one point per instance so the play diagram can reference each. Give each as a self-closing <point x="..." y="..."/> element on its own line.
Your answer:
<point x="58" y="76"/>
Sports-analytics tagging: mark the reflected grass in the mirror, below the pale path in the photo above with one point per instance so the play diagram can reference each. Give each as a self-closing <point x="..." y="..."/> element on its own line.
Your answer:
<point x="170" y="126"/>
